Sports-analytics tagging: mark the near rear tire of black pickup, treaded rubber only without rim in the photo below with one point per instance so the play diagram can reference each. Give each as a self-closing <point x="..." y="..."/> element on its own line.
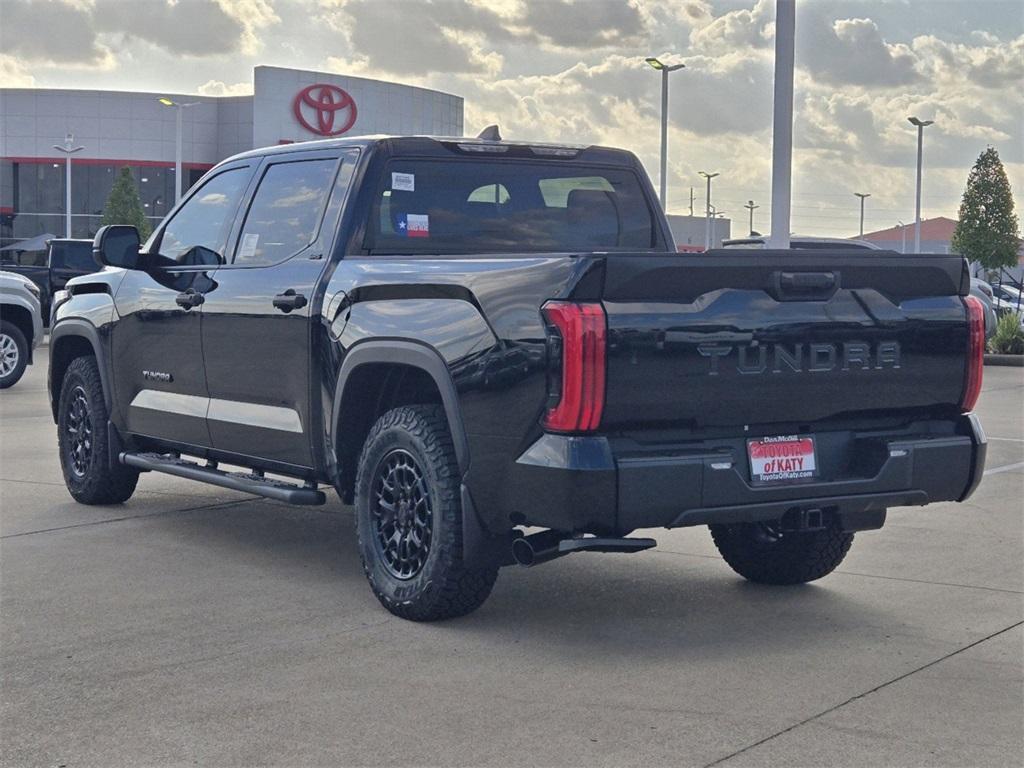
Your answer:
<point x="444" y="587"/>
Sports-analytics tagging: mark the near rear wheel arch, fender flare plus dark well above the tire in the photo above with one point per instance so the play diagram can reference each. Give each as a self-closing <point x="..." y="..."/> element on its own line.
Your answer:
<point x="401" y="373"/>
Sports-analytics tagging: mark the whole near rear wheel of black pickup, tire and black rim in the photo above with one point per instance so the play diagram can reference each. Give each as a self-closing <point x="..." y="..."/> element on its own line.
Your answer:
<point x="409" y="519"/>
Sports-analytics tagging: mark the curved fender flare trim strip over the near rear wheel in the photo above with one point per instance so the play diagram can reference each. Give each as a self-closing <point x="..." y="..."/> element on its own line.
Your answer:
<point x="415" y="355"/>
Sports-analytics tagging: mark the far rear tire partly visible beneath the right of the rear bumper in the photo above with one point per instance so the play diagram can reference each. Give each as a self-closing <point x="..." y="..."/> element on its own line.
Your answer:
<point x="760" y="553"/>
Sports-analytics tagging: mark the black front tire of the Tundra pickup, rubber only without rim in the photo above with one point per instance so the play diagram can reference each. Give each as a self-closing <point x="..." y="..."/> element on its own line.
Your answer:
<point x="100" y="483"/>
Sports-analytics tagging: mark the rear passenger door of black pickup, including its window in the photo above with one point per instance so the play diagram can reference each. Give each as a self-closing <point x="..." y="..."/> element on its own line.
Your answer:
<point x="257" y="327"/>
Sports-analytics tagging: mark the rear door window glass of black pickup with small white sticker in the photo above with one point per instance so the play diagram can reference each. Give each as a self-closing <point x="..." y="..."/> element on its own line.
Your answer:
<point x="286" y="211"/>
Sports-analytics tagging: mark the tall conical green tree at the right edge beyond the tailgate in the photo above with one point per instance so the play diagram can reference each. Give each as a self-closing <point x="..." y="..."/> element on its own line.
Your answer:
<point x="988" y="231"/>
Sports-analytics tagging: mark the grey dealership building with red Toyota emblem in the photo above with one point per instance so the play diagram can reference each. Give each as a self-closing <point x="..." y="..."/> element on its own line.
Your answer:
<point x="119" y="130"/>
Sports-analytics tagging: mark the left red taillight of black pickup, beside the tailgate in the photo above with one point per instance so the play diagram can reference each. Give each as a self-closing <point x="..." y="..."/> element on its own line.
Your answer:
<point x="581" y="395"/>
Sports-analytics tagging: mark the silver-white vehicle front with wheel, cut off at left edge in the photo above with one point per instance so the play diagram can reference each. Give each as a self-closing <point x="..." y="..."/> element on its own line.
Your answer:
<point x="21" y="326"/>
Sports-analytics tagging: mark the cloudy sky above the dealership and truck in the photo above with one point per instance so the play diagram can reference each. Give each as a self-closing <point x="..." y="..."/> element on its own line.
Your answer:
<point x="573" y="71"/>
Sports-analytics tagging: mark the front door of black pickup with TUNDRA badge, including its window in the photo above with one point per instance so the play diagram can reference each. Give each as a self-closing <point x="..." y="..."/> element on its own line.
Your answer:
<point x="157" y="345"/>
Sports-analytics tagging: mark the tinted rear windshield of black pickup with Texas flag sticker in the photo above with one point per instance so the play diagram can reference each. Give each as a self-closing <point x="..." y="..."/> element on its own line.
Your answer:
<point x="508" y="207"/>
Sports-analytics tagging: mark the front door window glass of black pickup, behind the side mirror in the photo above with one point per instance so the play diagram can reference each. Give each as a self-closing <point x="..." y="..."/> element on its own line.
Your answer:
<point x="198" y="234"/>
